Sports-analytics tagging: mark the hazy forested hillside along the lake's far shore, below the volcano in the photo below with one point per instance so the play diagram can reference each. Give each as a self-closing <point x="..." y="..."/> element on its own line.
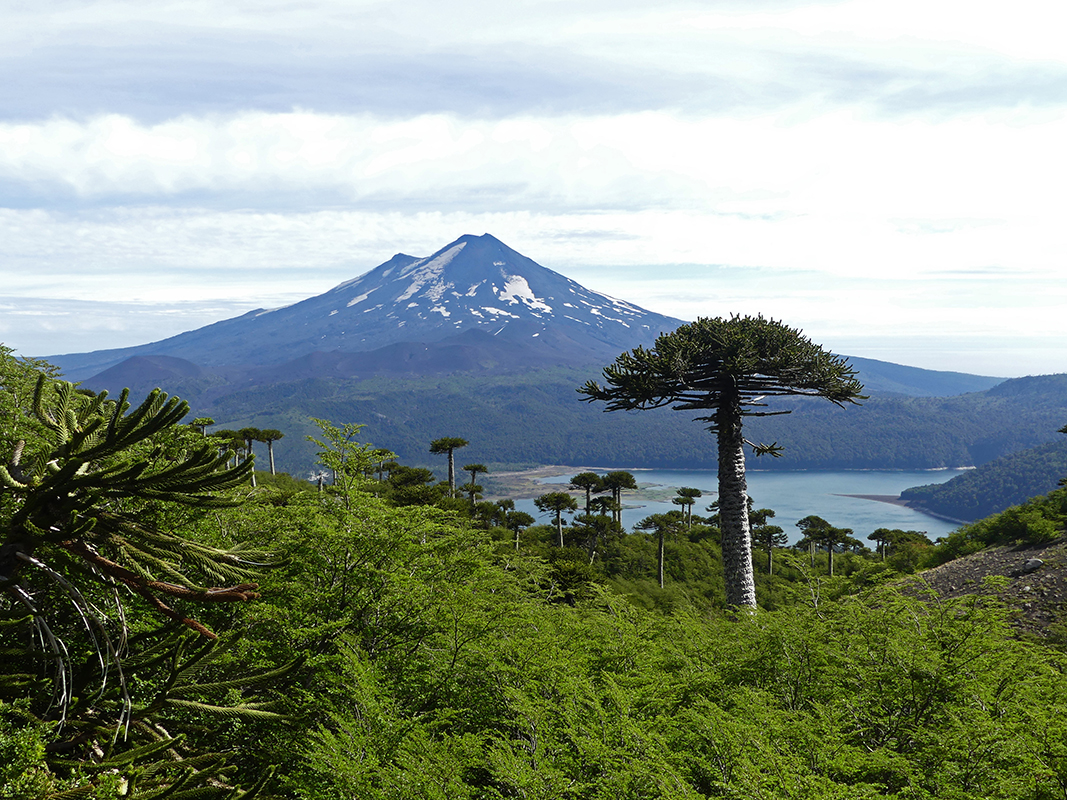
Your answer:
<point x="538" y="419"/>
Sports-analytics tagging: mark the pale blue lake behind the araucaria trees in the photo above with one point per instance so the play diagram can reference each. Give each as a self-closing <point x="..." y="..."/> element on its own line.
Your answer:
<point x="793" y="495"/>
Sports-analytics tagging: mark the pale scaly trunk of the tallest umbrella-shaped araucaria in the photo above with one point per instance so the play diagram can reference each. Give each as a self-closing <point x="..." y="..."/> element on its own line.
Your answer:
<point x="734" y="508"/>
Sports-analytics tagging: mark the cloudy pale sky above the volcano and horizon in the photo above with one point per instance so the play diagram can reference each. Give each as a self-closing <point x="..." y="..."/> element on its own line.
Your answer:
<point x="887" y="175"/>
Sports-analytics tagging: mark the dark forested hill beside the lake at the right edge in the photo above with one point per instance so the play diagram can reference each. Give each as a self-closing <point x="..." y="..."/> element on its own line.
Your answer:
<point x="1010" y="481"/>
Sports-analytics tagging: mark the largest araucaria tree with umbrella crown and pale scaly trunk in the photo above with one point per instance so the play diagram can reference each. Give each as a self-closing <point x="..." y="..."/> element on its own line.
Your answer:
<point x="727" y="367"/>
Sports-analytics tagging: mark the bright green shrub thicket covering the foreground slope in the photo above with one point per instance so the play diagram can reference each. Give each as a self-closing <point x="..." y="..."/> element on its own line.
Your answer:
<point x="410" y="645"/>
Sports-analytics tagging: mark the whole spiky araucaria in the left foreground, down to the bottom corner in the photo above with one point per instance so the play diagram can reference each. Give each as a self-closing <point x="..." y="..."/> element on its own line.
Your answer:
<point x="99" y="696"/>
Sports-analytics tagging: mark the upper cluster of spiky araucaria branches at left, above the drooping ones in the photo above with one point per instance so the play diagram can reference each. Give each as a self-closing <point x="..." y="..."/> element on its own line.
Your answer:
<point x="83" y="493"/>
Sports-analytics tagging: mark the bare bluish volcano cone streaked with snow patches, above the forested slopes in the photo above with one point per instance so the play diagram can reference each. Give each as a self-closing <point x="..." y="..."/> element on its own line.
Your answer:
<point x="473" y="289"/>
